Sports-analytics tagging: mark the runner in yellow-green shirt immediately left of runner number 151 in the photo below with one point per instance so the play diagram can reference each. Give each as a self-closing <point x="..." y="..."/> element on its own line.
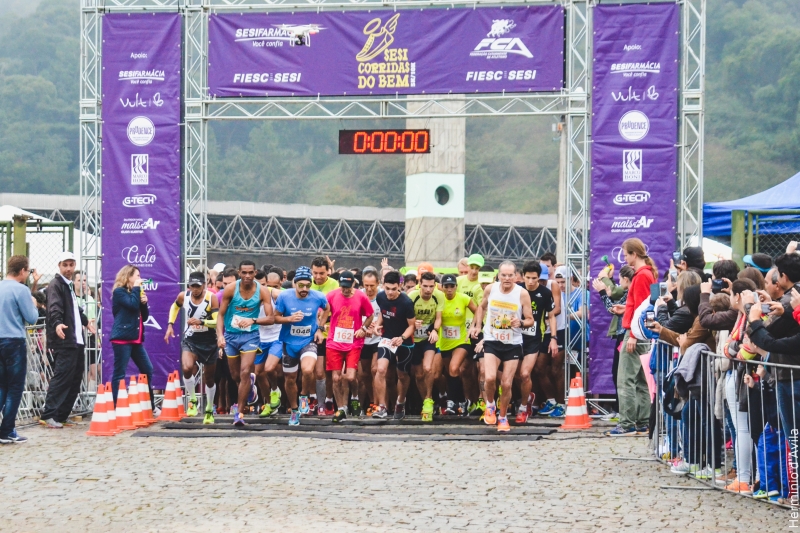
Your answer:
<point x="427" y="361"/>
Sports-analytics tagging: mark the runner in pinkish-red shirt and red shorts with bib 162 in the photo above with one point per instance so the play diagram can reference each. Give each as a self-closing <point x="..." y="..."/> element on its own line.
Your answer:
<point x="348" y="330"/>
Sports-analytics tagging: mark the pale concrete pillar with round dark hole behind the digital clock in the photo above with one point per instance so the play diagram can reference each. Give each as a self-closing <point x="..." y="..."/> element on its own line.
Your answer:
<point x="435" y="191"/>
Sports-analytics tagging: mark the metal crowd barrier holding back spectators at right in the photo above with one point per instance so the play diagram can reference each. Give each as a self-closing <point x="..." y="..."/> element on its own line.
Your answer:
<point x="727" y="432"/>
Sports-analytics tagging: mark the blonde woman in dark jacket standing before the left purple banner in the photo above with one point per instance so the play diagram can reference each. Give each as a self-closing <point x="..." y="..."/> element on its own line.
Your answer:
<point x="130" y="310"/>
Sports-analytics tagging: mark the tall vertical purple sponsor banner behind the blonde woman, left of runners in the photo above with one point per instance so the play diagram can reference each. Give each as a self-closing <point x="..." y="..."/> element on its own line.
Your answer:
<point x="141" y="172"/>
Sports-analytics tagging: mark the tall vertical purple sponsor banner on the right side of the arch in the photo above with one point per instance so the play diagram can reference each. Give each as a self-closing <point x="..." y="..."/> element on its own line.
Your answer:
<point x="634" y="152"/>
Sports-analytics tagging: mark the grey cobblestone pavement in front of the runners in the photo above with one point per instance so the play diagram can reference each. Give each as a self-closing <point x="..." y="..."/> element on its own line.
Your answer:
<point x="62" y="480"/>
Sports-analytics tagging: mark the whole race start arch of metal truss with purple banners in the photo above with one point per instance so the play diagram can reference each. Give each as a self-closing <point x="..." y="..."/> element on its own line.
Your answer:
<point x="626" y="80"/>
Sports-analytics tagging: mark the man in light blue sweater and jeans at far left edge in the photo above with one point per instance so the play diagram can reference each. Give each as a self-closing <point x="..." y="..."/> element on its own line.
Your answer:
<point x="17" y="307"/>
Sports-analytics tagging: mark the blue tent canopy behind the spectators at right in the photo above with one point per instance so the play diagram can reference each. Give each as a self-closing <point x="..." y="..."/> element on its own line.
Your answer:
<point x="785" y="195"/>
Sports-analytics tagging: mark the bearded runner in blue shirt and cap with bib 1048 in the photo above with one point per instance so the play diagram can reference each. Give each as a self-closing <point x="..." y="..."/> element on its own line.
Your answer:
<point x="302" y="312"/>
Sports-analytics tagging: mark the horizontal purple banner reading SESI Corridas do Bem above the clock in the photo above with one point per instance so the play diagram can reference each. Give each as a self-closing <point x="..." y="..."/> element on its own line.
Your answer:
<point x="484" y="50"/>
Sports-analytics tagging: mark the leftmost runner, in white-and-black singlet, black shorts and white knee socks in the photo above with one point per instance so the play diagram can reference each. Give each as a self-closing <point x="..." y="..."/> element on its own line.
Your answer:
<point x="199" y="343"/>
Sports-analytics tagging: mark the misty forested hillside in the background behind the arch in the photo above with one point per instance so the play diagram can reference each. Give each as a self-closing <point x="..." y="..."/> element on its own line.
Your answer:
<point x="752" y="124"/>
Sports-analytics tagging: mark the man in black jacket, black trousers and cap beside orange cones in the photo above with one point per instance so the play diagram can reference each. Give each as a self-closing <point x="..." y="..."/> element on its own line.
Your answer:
<point x="65" y="321"/>
